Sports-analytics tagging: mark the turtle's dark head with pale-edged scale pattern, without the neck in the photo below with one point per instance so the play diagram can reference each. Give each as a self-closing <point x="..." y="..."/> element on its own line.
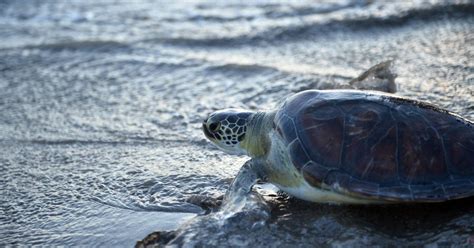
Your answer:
<point x="227" y="129"/>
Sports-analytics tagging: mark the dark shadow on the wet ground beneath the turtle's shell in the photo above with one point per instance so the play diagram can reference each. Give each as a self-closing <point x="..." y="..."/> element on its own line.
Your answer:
<point x="396" y="220"/>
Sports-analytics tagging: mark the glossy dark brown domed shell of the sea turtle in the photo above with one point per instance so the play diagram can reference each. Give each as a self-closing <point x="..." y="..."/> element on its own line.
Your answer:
<point x="378" y="146"/>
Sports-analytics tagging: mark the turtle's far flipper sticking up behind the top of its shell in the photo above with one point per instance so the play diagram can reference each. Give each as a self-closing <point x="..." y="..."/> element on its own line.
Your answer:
<point x="379" y="77"/>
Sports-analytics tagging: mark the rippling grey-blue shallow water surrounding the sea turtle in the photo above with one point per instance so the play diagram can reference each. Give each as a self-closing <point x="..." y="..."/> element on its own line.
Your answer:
<point x="101" y="105"/>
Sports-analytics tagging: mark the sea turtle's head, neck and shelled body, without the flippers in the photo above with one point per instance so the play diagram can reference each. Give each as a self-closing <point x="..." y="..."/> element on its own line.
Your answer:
<point x="351" y="146"/>
